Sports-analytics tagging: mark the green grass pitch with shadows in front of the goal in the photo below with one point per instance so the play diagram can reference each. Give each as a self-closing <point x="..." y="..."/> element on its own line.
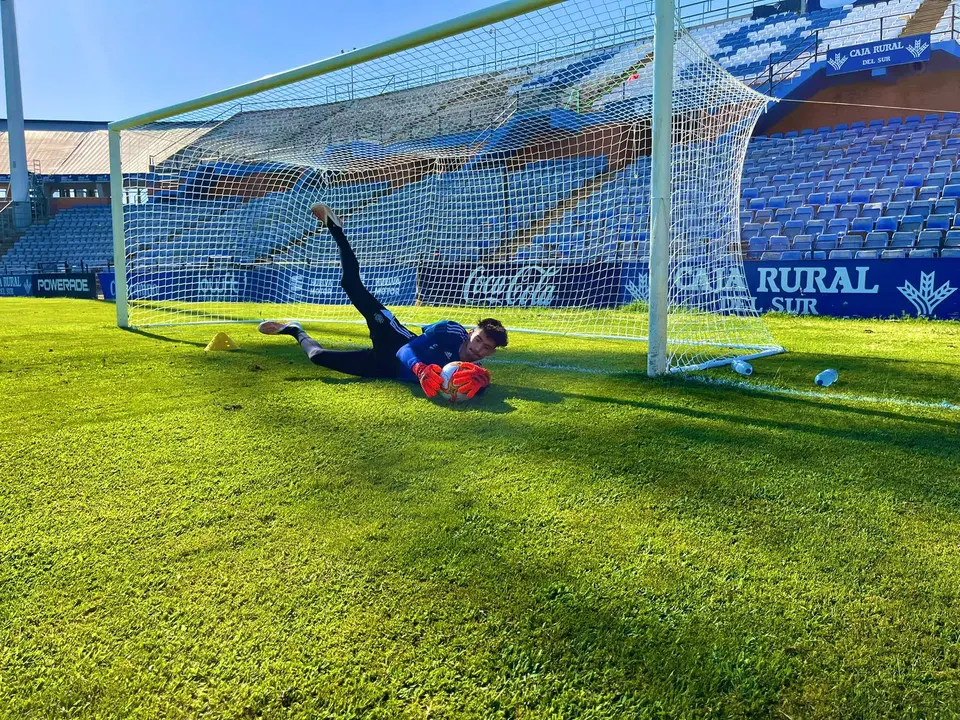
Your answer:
<point x="239" y="535"/>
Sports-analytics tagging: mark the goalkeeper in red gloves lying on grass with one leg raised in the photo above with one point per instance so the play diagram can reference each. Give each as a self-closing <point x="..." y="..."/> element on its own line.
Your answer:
<point x="397" y="352"/>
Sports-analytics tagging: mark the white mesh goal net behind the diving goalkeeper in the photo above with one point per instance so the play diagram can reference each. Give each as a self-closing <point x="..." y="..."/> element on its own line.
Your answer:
<point x="504" y="170"/>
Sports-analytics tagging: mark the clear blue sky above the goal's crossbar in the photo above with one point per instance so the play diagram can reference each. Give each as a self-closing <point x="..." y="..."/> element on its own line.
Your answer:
<point x="110" y="59"/>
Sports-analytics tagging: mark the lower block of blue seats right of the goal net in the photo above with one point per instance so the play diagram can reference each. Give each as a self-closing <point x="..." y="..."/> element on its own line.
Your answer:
<point x="894" y="182"/>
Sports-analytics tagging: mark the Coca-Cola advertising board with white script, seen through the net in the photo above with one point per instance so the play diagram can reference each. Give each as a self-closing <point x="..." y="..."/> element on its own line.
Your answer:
<point x="520" y="284"/>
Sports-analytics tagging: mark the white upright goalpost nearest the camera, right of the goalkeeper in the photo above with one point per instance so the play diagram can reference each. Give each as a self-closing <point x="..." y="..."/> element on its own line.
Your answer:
<point x="660" y="176"/>
